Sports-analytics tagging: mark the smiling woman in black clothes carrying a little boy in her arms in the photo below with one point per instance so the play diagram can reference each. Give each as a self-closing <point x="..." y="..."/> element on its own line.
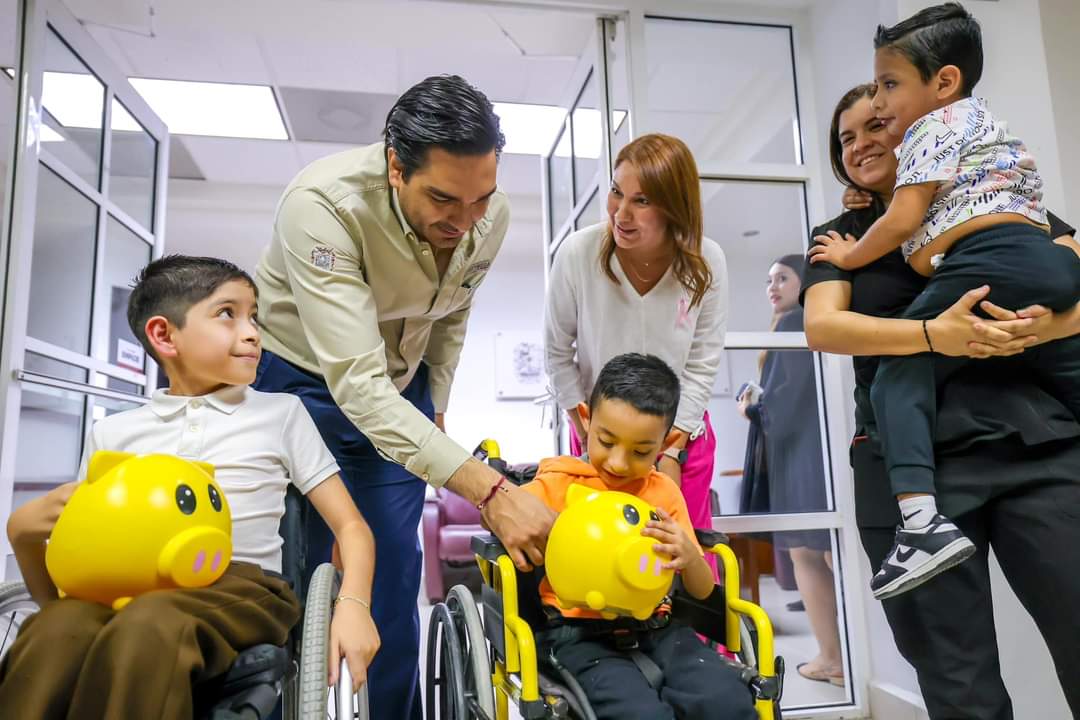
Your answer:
<point x="1007" y="457"/>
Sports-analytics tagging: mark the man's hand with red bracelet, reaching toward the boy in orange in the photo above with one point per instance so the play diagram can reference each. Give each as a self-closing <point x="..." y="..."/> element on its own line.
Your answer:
<point x="518" y="519"/>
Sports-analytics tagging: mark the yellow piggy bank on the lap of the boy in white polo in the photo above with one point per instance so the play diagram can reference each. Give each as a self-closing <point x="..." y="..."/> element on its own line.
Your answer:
<point x="139" y="524"/>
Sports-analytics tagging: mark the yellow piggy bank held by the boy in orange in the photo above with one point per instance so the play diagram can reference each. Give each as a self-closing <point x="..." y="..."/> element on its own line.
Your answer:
<point x="598" y="558"/>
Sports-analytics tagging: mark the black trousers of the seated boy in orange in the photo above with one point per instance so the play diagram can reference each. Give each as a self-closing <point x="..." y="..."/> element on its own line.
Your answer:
<point x="697" y="684"/>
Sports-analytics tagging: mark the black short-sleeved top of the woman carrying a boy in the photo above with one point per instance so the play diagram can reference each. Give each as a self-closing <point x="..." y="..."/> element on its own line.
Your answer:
<point x="985" y="401"/>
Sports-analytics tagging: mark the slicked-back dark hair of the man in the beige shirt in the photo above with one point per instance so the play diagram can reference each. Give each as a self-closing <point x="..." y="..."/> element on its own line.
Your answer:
<point x="442" y="112"/>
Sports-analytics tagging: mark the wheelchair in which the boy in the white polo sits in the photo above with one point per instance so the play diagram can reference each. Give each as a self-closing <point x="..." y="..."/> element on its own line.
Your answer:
<point x="295" y="672"/>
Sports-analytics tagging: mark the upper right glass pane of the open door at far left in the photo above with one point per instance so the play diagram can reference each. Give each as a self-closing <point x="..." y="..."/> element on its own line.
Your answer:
<point x="131" y="173"/>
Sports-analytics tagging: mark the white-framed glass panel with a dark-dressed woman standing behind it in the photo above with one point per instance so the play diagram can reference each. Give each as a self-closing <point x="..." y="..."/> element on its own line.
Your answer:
<point x="731" y="91"/>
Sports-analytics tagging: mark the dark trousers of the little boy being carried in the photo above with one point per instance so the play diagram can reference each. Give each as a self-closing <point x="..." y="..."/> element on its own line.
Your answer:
<point x="1023" y="267"/>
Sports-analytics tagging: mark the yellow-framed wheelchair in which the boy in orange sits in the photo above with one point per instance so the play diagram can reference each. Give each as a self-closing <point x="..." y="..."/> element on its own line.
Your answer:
<point x="477" y="667"/>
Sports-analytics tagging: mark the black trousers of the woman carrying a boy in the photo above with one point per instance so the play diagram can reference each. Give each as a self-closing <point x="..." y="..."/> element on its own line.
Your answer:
<point x="946" y="629"/>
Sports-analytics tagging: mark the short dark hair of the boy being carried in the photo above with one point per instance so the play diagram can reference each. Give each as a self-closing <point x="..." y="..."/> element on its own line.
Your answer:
<point x="936" y="37"/>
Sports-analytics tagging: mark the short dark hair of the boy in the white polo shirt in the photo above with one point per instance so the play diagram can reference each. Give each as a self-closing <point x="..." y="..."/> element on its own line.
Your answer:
<point x="169" y="287"/>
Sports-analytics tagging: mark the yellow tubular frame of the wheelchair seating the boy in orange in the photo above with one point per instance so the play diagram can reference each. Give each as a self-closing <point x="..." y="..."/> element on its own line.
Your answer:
<point x="516" y="676"/>
